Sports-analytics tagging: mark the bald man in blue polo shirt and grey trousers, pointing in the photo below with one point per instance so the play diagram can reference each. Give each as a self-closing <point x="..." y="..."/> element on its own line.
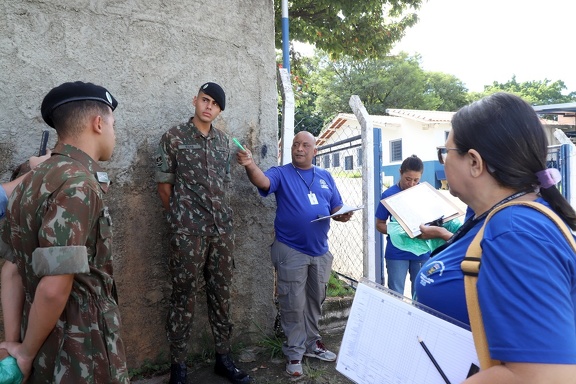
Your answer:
<point x="300" y="252"/>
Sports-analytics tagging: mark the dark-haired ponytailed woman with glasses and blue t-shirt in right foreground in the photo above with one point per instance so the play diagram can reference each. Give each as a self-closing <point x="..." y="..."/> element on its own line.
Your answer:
<point x="496" y="152"/>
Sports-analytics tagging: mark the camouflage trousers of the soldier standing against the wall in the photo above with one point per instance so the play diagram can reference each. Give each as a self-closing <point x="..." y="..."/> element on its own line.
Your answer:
<point x="191" y="258"/>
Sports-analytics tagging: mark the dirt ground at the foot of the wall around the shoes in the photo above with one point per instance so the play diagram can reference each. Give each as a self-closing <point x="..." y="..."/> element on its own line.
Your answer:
<point x="266" y="370"/>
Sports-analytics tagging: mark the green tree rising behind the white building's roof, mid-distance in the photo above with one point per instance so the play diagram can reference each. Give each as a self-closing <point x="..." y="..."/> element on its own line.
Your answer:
<point x="390" y="82"/>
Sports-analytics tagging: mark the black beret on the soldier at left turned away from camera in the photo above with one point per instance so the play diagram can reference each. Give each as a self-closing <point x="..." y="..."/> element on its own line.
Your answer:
<point x="77" y="91"/>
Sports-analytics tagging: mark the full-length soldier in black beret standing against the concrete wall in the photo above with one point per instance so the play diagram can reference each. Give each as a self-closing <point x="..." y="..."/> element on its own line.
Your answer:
<point x="193" y="173"/>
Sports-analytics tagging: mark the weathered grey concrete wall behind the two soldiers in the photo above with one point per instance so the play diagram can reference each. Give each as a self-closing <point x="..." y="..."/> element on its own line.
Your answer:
<point x="152" y="55"/>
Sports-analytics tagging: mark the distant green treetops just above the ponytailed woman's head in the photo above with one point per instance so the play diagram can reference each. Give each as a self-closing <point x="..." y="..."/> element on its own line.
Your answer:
<point x="536" y="92"/>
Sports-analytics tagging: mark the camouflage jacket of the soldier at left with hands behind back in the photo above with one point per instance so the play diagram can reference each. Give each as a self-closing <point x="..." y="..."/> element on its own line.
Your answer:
<point x="57" y="223"/>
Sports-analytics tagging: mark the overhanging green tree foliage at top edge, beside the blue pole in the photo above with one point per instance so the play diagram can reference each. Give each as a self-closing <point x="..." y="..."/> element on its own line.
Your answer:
<point x="360" y="29"/>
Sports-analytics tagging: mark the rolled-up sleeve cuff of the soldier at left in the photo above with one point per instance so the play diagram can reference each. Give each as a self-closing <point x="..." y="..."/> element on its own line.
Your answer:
<point x="66" y="260"/>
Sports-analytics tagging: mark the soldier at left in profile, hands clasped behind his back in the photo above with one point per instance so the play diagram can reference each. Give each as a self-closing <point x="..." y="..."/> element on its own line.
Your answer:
<point x="59" y="300"/>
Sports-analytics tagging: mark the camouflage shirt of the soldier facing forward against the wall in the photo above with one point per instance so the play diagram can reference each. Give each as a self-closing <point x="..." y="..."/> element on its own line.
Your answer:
<point x="199" y="168"/>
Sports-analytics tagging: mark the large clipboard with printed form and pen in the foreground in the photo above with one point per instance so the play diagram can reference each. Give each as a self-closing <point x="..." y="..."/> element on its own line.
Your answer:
<point x="380" y="342"/>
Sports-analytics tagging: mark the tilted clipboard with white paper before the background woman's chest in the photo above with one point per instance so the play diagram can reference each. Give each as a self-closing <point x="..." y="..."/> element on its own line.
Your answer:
<point x="420" y="204"/>
